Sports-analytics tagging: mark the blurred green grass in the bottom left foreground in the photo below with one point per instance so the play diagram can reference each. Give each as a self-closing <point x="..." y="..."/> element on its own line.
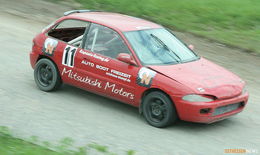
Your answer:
<point x="10" y="145"/>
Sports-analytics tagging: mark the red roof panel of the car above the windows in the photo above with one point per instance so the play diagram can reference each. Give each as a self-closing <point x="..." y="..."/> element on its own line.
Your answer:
<point x="115" y="20"/>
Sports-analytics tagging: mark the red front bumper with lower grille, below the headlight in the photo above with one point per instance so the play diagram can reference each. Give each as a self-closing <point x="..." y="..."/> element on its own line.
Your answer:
<point x="191" y="111"/>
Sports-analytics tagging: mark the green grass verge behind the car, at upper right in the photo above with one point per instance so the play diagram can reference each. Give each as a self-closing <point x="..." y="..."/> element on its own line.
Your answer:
<point x="233" y="22"/>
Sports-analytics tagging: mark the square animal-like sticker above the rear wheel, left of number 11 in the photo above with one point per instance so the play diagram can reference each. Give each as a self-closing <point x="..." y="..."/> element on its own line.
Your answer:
<point x="49" y="46"/>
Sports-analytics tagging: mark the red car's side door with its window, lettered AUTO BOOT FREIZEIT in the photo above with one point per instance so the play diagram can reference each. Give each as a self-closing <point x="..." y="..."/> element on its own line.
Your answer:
<point x="98" y="60"/>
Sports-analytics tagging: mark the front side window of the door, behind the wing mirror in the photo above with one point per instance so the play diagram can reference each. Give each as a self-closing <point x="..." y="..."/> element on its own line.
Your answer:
<point x="105" y="41"/>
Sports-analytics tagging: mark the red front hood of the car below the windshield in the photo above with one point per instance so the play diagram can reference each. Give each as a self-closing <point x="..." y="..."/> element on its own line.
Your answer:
<point x="204" y="77"/>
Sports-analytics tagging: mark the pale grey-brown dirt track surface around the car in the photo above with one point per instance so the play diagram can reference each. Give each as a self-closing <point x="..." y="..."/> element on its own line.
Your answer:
<point x="71" y="112"/>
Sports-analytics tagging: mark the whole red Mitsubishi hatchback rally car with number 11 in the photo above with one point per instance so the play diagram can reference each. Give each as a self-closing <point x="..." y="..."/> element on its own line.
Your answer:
<point x="137" y="62"/>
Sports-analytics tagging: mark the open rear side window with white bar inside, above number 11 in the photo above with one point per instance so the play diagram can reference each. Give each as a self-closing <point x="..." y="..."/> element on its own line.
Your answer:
<point x="70" y="31"/>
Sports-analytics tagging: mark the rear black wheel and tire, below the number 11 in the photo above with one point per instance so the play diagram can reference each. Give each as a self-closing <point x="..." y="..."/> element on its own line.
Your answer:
<point x="46" y="75"/>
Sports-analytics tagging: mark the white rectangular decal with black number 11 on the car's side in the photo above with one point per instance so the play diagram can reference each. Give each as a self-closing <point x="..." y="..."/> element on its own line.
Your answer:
<point x="69" y="56"/>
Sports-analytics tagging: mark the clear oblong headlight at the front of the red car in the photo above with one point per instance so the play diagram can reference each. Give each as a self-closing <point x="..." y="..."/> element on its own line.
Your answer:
<point x="198" y="98"/>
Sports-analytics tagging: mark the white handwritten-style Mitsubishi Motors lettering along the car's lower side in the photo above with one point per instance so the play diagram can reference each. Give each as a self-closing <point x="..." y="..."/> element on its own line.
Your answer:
<point x="107" y="86"/>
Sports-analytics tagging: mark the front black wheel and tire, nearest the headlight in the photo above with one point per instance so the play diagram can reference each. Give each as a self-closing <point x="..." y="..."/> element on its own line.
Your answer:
<point x="158" y="109"/>
